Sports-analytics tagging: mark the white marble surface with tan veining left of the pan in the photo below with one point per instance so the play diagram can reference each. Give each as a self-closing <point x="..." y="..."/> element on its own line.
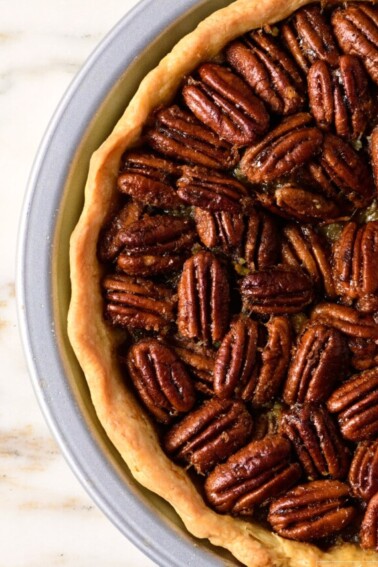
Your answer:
<point x="46" y="518"/>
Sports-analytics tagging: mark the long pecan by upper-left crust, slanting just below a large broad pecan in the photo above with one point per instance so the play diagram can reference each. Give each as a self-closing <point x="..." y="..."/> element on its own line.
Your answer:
<point x="177" y="134"/>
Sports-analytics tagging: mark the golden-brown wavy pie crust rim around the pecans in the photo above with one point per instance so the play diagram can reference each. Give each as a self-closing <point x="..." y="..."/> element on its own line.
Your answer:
<point x="94" y="342"/>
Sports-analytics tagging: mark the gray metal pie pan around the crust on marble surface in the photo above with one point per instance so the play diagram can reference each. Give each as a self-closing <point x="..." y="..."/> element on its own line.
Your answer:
<point x="54" y="199"/>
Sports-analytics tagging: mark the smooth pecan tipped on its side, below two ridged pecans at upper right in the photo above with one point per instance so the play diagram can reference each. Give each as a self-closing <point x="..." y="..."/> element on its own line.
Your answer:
<point x="294" y="202"/>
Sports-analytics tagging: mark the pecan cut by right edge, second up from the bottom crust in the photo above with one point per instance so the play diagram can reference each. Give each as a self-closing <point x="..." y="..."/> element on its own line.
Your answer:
<point x="363" y="474"/>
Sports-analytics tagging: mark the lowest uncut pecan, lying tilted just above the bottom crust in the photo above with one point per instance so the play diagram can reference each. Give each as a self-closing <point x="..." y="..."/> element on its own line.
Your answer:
<point x="312" y="511"/>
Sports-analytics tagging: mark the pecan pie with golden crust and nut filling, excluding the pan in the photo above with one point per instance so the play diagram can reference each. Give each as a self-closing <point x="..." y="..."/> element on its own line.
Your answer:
<point x="240" y="162"/>
